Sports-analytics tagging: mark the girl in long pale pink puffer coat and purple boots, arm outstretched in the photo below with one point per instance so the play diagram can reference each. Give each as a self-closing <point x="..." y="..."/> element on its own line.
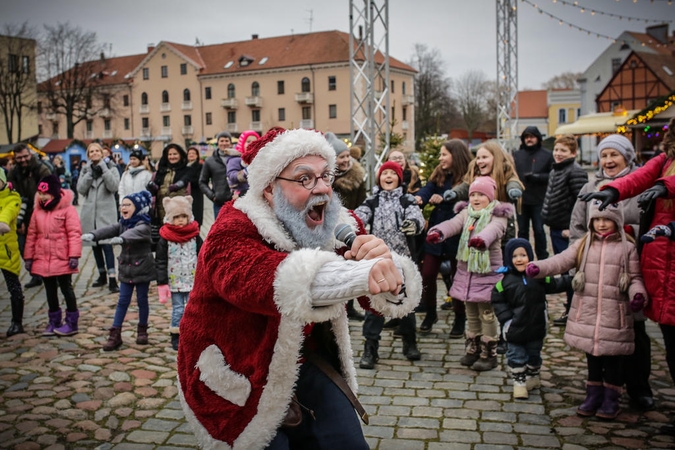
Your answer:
<point x="608" y="289"/>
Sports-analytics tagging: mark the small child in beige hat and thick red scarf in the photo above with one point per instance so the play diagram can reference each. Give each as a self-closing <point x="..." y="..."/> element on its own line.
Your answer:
<point x="176" y="258"/>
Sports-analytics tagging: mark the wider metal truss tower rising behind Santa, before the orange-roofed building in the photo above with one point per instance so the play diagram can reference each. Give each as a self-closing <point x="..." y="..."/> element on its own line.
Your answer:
<point x="369" y="81"/>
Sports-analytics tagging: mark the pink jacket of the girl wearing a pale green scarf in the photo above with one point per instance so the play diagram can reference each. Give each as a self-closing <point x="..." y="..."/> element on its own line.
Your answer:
<point x="477" y="287"/>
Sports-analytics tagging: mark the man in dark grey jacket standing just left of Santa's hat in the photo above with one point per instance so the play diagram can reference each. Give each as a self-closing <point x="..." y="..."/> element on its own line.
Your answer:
<point x="215" y="171"/>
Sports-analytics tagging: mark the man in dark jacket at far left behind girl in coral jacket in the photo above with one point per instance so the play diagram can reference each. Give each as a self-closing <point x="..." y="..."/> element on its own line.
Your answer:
<point x="29" y="169"/>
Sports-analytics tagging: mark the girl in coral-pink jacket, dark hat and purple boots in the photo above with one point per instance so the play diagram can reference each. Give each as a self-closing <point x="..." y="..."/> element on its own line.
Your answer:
<point x="53" y="250"/>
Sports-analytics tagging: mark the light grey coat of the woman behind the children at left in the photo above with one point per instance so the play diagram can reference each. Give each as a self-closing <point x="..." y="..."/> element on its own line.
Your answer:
<point x="99" y="208"/>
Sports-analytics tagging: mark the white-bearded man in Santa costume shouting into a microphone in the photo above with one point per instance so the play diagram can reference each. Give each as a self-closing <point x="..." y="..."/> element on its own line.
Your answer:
<point x="266" y="325"/>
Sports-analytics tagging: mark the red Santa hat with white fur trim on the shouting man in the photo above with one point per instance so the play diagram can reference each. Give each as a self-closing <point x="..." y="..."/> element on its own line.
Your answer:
<point x="271" y="154"/>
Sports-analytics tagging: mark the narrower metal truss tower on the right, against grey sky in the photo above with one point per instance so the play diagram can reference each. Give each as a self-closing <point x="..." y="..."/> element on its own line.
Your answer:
<point x="507" y="73"/>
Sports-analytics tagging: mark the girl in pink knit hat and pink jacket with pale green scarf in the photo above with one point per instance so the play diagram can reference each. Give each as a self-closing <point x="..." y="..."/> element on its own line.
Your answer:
<point x="482" y="224"/>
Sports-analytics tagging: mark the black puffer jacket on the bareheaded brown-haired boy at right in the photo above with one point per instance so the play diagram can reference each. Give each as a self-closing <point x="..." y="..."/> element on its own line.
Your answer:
<point x="565" y="181"/>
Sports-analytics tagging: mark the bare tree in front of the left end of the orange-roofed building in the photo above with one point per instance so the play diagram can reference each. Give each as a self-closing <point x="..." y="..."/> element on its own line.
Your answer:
<point x="72" y="70"/>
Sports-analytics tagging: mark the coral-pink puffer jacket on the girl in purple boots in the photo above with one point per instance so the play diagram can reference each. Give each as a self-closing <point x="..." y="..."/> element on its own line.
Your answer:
<point x="54" y="237"/>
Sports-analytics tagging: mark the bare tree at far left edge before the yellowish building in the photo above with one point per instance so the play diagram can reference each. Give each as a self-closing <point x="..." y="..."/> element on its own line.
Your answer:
<point x="17" y="77"/>
